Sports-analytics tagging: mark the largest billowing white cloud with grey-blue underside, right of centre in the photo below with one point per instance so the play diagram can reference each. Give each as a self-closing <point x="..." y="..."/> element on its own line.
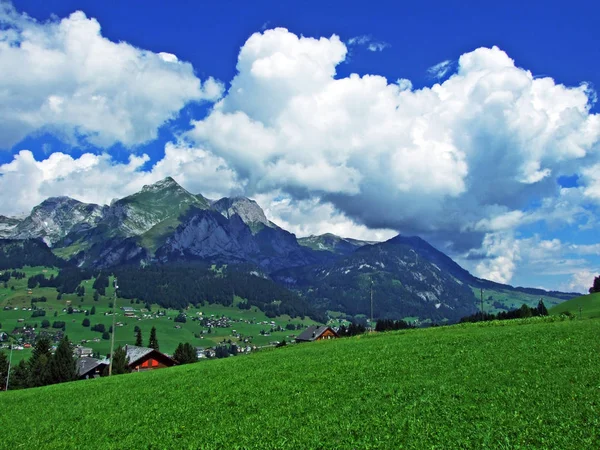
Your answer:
<point x="457" y="161"/>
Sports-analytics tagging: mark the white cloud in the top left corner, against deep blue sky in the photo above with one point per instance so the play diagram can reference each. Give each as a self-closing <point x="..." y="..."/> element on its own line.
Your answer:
<point x="64" y="76"/>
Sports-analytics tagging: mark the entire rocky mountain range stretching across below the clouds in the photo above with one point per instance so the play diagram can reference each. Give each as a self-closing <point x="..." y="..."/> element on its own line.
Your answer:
<point x="164" y="224"/>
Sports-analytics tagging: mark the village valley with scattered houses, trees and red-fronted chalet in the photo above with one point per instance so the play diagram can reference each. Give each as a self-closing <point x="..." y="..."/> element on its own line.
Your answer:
<point x="86" y="318"/>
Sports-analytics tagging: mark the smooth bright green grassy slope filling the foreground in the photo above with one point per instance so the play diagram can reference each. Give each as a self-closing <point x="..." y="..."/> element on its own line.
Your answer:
<point x="522" y="384"/>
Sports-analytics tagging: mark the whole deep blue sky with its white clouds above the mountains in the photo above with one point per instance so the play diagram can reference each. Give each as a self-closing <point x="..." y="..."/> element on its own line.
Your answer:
<point x="474" y="126"/>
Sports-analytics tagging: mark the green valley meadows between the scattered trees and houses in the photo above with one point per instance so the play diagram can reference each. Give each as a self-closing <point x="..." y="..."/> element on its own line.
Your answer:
<point x="245" y="322"/>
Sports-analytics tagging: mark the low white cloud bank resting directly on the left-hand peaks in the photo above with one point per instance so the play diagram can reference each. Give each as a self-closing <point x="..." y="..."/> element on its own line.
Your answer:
<point x="25" y="182"/>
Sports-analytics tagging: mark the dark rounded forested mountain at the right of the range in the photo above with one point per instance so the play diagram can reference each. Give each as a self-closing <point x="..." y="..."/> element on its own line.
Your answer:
<point x="404" y="284"/>
